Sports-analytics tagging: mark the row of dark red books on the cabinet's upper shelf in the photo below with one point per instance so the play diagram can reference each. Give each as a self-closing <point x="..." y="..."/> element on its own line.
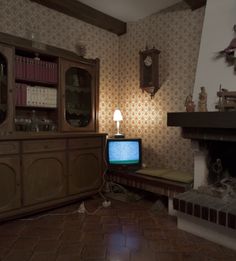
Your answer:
<point x="35" y="70"/>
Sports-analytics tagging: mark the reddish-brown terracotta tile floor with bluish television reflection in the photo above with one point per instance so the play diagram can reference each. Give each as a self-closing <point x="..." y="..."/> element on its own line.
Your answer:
<point x="123" y="232"/>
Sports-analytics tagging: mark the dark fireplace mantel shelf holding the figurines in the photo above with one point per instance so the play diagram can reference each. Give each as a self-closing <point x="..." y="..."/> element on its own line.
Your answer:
<point x="205" y="125"/>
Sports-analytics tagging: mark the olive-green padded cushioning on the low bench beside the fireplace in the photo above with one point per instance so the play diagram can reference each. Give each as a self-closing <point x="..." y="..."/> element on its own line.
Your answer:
<point x="168" y="174"/>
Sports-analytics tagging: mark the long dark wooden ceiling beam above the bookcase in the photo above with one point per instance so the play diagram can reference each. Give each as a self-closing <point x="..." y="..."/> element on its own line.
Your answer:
<point x="86" y="13"/>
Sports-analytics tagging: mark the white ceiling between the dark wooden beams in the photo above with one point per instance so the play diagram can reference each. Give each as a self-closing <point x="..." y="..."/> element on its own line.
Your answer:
<point x="129" y="10"/>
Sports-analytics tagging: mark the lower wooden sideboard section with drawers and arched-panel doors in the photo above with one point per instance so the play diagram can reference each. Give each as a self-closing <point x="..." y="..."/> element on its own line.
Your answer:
<point x="41" y="171"/>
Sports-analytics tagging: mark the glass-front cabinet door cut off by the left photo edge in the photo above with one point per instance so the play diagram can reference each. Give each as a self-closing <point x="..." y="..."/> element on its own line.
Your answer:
<point x="6" y="89"/>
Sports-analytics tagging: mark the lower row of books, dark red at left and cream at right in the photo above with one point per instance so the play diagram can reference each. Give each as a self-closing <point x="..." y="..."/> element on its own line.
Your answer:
<point x="35" y="96"/>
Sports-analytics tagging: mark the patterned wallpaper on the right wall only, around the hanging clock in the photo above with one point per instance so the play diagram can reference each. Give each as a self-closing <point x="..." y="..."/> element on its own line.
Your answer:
<point x="176" y="32"/>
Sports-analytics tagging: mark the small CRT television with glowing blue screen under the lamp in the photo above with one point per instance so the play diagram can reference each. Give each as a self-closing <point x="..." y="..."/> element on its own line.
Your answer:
<point x="124" y="154"/>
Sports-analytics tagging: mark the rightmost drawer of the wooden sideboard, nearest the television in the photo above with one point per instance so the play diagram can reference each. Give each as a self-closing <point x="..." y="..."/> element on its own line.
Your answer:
<point x="85" y="143"/>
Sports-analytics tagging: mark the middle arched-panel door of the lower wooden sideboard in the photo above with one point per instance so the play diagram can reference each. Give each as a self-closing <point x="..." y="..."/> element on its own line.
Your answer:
<point x="44" y="177"/>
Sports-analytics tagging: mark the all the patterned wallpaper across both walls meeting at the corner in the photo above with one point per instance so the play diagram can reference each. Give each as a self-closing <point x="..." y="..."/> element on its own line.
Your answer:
<point x="175" y="31"/>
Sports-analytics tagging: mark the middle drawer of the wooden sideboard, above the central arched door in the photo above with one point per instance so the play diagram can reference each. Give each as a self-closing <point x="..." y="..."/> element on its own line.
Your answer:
<point x="43" y="145"/>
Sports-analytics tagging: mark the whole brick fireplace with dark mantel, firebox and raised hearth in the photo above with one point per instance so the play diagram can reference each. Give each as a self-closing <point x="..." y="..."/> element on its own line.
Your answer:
<point x="209" y="210"/>
